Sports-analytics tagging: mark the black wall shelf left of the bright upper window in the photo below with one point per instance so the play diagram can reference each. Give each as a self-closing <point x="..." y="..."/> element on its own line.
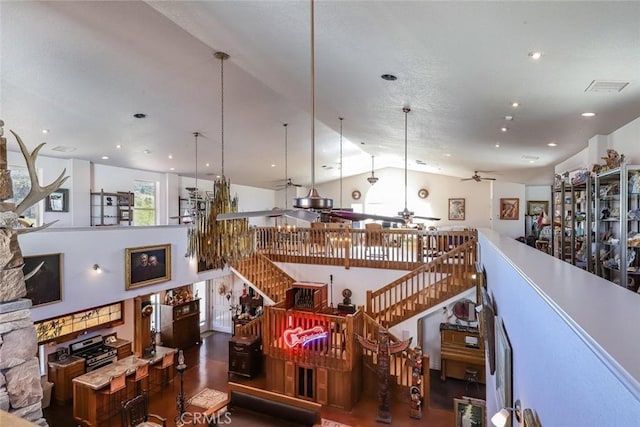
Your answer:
<point x="111" y="208"/>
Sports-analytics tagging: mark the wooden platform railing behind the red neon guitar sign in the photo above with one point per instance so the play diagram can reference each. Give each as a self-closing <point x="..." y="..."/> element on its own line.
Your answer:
<point x="337" y="351"/>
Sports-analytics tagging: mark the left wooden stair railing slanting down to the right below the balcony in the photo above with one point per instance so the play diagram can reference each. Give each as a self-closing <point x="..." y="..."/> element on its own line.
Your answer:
<point x="271" y="280"/>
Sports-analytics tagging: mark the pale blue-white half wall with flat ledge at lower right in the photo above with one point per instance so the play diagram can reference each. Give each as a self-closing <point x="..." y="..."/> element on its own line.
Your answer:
<point x="571" y="359"/>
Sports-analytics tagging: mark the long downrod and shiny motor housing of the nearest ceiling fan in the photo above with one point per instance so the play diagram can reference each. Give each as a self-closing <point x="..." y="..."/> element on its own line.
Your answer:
<point x="313" y="200"/>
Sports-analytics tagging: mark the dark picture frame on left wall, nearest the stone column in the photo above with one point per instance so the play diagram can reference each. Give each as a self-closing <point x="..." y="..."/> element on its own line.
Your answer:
<point x="45" y="286"/>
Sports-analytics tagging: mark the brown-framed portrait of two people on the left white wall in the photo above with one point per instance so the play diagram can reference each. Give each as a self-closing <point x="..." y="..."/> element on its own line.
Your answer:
<point x="147" y="265"/>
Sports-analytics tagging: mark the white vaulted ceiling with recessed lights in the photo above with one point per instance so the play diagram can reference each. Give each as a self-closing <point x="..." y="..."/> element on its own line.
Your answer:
<point x="82" y="69"/>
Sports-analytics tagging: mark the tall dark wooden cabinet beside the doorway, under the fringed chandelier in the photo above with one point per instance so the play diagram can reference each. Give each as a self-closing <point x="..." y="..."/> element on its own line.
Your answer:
<point x="180" y="324"/>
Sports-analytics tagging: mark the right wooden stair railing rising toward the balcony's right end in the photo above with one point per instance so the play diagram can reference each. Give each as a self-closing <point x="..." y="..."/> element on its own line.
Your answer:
<point x="426" y="286"/>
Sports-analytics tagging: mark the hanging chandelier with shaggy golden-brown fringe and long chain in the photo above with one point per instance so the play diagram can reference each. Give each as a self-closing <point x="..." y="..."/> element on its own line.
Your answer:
<point x="221" y="243"/>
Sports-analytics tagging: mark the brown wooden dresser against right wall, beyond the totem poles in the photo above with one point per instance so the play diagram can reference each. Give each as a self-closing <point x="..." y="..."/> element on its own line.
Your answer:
<point x="461" y="348"/>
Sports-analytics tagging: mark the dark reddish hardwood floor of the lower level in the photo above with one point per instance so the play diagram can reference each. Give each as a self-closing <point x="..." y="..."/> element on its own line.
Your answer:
<point x="207" y="367"/>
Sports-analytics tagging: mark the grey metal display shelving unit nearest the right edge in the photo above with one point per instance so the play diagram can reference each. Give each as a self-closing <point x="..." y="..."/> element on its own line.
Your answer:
<point x="617" y="248"/>
